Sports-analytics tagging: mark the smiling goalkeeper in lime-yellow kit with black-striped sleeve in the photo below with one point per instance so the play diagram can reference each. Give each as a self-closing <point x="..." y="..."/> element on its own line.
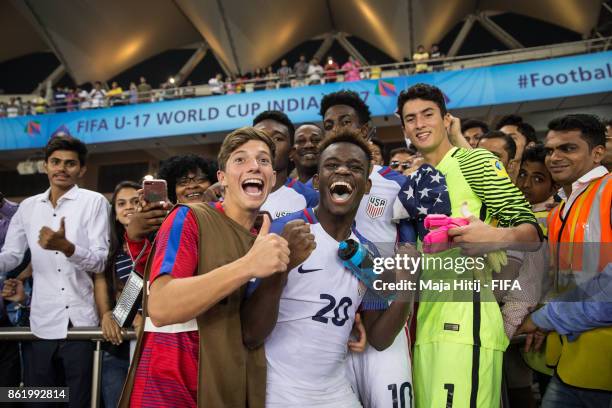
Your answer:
<point x="459" y="345"/>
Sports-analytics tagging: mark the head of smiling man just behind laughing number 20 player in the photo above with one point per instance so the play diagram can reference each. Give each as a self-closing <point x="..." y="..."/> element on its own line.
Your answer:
<point x="305" y="154"/>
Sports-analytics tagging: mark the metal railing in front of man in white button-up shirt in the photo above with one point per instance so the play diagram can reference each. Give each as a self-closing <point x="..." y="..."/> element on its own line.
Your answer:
<point x="76" y="333"/>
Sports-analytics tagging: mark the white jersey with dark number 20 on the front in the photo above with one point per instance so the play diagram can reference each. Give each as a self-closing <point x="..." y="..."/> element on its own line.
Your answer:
<point x="307" y="350"/>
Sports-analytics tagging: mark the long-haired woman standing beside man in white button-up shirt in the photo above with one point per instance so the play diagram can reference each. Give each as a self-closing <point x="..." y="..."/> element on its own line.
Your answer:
<point x="108" y="287"/>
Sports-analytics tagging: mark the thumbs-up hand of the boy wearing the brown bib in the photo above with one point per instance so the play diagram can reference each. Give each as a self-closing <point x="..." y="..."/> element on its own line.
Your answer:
<point x="269" y="254"/>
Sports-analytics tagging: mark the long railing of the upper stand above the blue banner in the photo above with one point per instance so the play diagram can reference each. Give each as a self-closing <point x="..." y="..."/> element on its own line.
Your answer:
<point x="273" y="81"/>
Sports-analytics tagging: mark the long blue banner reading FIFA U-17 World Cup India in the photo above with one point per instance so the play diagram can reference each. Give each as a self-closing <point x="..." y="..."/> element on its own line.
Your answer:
<point x="554" y="78"/>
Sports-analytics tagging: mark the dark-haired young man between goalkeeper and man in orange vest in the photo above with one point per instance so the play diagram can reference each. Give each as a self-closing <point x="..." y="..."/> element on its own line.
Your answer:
<point x="536" y="183"/>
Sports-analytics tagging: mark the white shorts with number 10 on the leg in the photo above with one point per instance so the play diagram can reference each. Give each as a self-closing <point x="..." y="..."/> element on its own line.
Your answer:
<point x="383" y="379"/>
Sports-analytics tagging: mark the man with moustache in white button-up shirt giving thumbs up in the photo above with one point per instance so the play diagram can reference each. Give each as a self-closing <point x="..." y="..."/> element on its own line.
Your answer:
<point x="67" y="230"/>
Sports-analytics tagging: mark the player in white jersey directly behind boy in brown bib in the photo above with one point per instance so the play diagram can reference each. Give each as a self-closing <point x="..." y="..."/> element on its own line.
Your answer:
<point x="286" y="196"/>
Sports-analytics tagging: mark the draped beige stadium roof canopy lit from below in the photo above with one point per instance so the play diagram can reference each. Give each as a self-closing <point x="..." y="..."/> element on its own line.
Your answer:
<point x="97" y="39"/>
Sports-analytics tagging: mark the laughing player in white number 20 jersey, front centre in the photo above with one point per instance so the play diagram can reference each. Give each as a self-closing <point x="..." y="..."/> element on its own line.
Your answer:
<point x="306" y="350"/>
